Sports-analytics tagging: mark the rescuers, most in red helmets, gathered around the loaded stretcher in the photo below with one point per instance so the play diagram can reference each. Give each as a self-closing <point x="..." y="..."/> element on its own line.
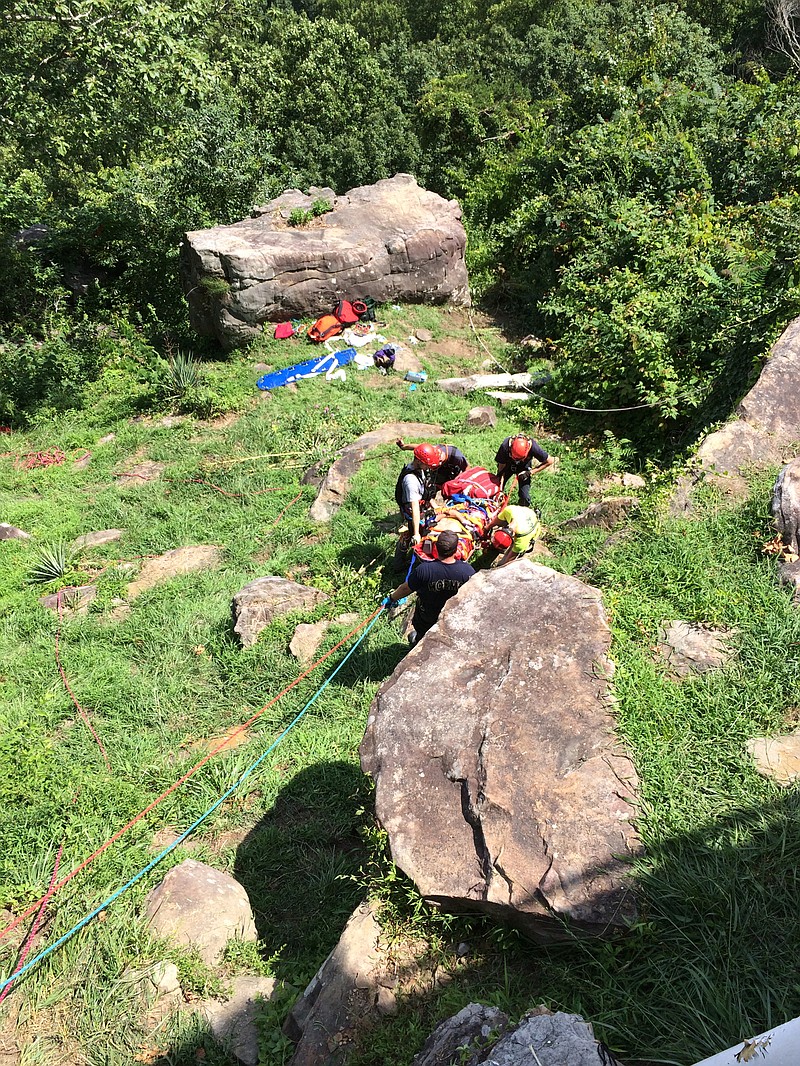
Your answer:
<point x="513" y="534"/>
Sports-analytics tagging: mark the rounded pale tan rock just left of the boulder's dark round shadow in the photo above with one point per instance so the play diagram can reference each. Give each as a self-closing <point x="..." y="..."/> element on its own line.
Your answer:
<point x="201" y="908"/>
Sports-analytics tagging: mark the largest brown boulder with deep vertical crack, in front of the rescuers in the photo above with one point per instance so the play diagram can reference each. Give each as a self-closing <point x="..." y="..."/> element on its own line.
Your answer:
<point x="508" y="795"/>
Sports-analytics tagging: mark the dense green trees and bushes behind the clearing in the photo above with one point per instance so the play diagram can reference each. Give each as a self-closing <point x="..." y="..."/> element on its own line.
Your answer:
<point x="629" y="172"/>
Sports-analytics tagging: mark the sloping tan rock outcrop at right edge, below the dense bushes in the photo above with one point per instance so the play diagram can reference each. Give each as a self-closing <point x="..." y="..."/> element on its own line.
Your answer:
<point x="766" y="432"/>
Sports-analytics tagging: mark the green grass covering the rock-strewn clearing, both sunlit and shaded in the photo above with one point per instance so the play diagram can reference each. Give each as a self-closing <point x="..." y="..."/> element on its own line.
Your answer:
<point x="713" y="957"/>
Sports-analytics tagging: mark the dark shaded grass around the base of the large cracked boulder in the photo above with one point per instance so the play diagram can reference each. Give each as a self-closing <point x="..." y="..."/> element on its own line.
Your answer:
<point x="711" y="962"/>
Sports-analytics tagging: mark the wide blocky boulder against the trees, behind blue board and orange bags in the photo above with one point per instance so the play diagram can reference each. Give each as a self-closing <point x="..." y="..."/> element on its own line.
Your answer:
<point x="392" y="241"/>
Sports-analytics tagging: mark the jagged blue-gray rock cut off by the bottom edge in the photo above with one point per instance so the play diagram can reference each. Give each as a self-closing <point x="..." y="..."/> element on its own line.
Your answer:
<point x="555" y="1040"/>
